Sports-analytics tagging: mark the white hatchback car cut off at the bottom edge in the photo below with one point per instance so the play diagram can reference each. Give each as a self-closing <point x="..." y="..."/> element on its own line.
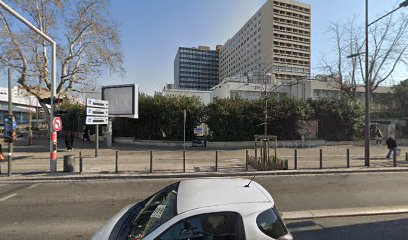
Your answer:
<point x="200" y="209"/>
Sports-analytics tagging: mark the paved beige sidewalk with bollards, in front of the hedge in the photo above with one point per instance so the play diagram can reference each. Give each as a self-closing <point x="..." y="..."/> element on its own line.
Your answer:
<point x="135" y="160"/>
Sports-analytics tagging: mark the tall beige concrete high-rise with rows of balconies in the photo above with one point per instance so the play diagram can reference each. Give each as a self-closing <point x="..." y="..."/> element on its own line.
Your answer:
<point x="275" y="40"/>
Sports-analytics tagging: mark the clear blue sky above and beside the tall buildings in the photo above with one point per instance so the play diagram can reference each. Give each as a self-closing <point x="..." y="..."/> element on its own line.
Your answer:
<point x="152" y="31"/>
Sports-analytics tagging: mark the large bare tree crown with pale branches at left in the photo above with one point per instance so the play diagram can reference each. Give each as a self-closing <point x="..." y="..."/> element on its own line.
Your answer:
<point x="87" y="37"/>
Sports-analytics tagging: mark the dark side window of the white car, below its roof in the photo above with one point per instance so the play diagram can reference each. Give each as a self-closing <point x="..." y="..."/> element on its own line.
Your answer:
<point x="215" y="226"/>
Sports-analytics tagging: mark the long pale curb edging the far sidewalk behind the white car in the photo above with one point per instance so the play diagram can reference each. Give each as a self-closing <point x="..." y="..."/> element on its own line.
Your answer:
<point x="113" y="176"/>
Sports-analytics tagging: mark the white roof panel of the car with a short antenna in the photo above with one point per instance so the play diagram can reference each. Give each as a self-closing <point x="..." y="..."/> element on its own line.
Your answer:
<point x="200" y="193"/>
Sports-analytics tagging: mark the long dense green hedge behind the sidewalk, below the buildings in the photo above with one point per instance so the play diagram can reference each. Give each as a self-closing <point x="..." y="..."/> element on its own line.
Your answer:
<point x="239" y="120"/>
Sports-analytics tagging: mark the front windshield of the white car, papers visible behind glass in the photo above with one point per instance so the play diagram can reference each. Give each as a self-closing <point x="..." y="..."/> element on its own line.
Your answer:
<point x="158" y="210"/>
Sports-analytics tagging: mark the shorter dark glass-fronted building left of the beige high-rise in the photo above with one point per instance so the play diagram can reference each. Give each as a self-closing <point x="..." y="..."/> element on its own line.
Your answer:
<point x="196" y="68"/>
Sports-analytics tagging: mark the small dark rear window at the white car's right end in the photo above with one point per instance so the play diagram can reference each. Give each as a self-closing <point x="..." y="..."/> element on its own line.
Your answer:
<point x="270" y="223"/>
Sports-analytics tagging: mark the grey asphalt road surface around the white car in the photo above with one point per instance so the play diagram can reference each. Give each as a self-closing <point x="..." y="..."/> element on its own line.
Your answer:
<point x="74" y="210"/>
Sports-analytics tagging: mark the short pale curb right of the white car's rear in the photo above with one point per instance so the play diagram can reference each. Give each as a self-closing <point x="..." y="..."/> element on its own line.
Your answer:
<point x="345" y="212"/>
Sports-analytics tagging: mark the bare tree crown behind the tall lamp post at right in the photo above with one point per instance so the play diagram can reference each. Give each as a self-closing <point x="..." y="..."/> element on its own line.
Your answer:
<point x="388" y="43"/>
